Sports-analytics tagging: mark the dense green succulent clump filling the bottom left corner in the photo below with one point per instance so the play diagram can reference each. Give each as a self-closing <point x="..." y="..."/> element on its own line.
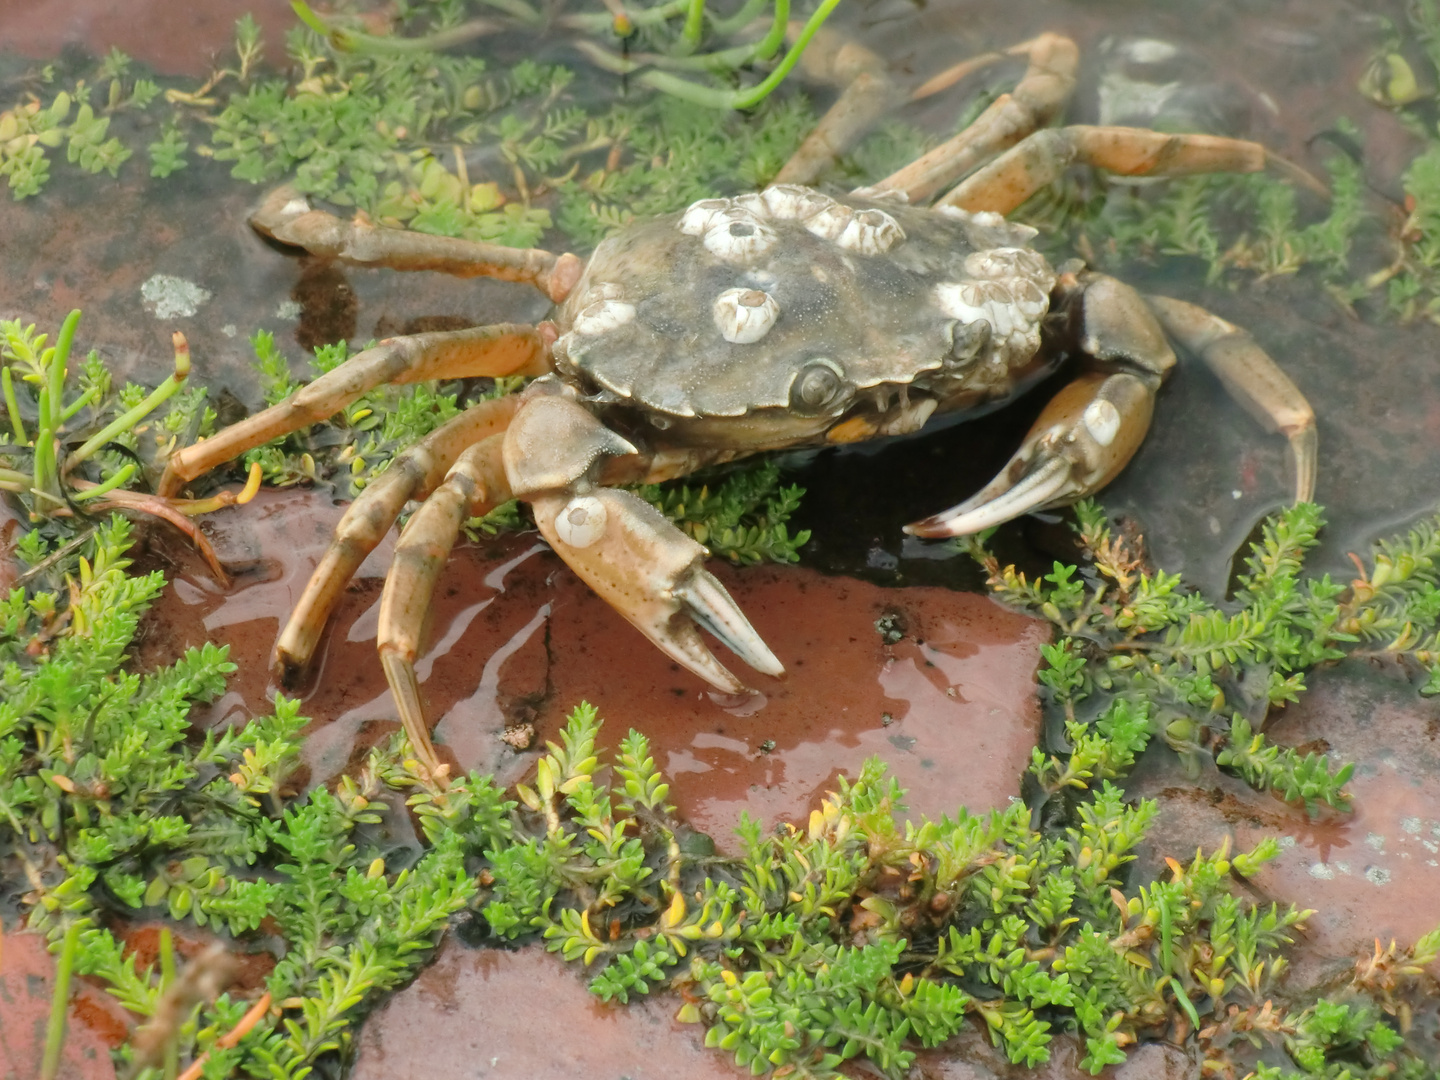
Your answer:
<point x="113" y="806"/>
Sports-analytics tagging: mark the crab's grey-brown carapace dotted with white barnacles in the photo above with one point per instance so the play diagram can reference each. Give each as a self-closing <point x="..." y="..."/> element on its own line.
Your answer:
<point x="868" y="302"/>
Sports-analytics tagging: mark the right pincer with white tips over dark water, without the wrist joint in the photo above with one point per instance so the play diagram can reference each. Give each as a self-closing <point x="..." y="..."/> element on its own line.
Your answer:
<point x="1084" y="438"/>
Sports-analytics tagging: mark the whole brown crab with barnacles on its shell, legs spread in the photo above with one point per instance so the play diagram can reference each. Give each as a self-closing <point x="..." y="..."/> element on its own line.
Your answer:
<point x="783" y="319"/>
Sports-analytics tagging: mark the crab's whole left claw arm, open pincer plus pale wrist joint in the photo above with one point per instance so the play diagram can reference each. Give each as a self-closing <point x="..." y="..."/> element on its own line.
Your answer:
<point x="618" y="544"/>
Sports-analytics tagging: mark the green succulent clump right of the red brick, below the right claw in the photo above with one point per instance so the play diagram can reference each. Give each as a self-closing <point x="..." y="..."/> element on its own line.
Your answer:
<point x="1143" y="656"/>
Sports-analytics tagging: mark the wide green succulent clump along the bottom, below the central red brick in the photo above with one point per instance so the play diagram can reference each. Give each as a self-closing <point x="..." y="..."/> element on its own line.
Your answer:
<point x="860" y="935"/>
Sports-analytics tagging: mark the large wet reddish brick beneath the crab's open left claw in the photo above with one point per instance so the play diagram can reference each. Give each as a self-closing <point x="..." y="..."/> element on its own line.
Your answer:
<point x="518" y="639"/>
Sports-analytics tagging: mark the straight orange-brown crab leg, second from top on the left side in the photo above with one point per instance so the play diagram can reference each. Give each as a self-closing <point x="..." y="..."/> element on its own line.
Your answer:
<point x="495" y="351"/>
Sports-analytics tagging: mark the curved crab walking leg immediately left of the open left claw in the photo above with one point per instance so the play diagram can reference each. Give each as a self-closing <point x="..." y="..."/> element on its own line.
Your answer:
<point x="476" y="483"/>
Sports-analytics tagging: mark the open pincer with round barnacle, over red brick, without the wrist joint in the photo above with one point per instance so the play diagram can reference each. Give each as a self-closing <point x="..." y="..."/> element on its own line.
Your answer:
<point x="653" y="575"/>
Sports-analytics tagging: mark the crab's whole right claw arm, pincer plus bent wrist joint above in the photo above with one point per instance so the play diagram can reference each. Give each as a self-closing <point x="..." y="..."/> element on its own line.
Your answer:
<point x="1092" y="428"/>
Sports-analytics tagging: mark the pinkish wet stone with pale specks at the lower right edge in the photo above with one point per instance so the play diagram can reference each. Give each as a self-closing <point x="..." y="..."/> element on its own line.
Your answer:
<point x="1370" y="875"/>
